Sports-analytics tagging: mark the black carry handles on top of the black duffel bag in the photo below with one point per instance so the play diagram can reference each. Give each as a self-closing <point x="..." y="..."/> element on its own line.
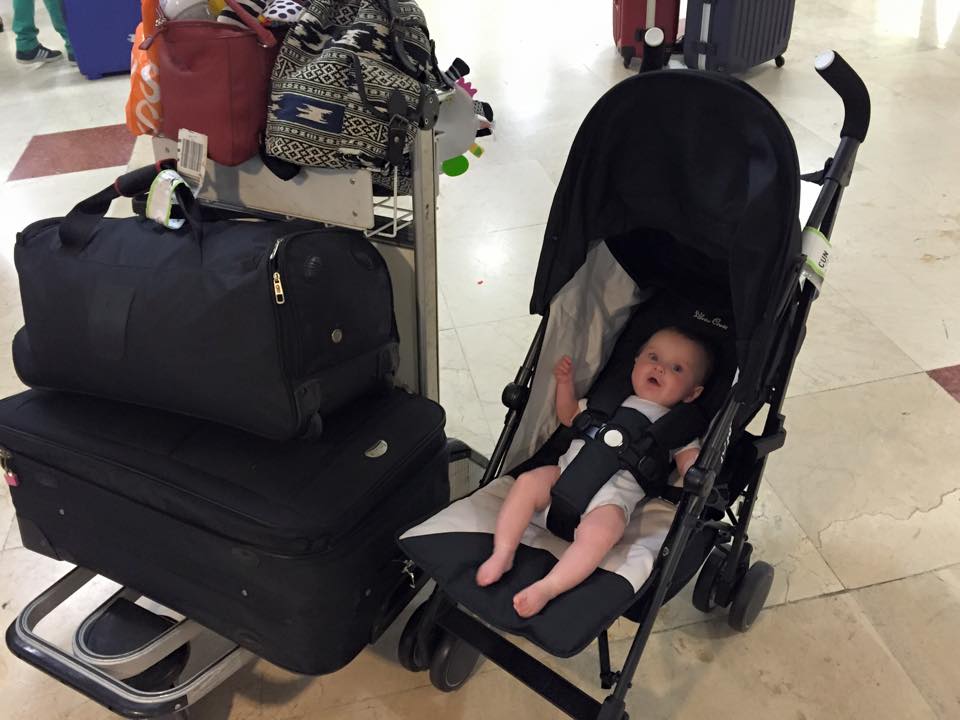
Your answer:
<point x="78" y="227"/>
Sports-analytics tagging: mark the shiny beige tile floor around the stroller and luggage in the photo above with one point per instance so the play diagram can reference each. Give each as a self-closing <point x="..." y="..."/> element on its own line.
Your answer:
<point x="861" y="514"/>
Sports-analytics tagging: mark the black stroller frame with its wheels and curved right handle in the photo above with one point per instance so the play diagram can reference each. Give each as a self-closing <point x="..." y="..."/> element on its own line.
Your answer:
<point x="449" y="641"/>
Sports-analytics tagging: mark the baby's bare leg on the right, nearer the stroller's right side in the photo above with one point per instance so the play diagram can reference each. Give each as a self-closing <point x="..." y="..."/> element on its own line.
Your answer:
<point x="597" y="533"/>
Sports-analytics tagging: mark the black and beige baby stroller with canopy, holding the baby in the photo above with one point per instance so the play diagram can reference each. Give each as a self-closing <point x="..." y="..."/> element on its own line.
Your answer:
<point x="678" y="206"/>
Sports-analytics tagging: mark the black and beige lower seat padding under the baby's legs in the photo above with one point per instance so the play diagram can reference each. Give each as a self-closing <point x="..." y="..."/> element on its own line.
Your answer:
<point x="452" y="544"/>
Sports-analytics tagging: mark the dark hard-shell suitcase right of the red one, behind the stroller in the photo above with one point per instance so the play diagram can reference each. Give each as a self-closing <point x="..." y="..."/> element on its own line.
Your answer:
<point x="735" y="35"/>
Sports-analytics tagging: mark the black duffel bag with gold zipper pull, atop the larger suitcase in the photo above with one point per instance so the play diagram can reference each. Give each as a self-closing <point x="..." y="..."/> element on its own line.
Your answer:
<point x="262" y="325"/>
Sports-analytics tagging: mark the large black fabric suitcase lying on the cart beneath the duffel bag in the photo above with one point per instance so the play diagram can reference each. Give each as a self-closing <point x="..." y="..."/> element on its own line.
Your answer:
<point x="288" y="549"/>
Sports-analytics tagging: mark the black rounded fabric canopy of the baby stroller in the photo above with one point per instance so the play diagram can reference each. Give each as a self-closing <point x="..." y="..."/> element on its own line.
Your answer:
<point x="692" y="179"/>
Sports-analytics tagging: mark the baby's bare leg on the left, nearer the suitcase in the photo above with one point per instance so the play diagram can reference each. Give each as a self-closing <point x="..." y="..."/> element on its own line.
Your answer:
<point x="529" y="494"/>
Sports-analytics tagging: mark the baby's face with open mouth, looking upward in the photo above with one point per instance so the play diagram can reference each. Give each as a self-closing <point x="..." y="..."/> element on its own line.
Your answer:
<point x="668" y="370"/>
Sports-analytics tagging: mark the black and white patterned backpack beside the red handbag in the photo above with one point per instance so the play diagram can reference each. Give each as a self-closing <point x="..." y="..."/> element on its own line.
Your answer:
<point x="353" y="82"/>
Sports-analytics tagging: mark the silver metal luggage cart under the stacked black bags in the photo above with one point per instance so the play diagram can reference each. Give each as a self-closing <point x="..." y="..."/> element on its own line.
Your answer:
<point x="408" y="243"/>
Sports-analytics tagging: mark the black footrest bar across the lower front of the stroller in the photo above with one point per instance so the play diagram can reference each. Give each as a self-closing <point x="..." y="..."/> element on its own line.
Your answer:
<point x="528" y="670"/>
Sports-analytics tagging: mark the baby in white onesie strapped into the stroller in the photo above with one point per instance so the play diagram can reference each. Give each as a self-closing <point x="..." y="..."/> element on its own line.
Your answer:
<point x="670" y="368"/>
